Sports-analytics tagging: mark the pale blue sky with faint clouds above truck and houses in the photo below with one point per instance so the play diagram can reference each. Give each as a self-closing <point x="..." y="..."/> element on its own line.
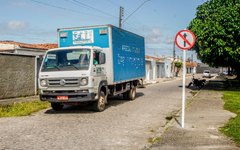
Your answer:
<point x="158" y="21"/>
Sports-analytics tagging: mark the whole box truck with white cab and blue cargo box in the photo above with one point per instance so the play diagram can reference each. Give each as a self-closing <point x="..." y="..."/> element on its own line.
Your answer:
<point x="91" y="64"/>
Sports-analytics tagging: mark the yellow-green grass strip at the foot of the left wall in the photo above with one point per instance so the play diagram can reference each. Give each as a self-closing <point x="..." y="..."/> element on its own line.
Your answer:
<point x="22" y="108"/>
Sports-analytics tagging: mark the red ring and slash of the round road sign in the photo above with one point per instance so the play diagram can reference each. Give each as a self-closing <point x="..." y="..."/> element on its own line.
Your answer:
<point x="190" y="45"/>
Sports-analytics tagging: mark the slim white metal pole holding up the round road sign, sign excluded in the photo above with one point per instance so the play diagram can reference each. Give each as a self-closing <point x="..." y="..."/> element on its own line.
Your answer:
<point x="183" y="87"/>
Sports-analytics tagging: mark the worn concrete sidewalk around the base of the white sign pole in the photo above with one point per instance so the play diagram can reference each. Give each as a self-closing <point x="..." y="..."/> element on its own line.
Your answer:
<point x="203" y="117"/>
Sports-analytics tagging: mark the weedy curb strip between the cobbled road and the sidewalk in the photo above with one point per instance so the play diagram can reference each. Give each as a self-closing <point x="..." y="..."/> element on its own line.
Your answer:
<point x="170" y="122"/>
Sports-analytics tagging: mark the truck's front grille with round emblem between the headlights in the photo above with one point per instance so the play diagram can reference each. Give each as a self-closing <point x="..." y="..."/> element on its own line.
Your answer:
<point x="63" y="82"/>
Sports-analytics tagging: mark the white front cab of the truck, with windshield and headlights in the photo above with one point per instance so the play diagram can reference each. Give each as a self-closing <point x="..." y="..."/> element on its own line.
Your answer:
<point x="72" y="75"/>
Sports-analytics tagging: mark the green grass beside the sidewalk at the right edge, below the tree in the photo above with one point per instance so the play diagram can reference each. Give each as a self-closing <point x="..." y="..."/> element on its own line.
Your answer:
<point x="232" y="103"/>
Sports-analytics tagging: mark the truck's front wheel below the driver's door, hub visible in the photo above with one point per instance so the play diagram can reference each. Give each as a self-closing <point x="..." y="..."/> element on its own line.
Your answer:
<point x="100" y="104"/>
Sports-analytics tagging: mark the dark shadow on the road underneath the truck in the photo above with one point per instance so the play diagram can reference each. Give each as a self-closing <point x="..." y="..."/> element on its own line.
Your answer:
<point x="86" y="108"/>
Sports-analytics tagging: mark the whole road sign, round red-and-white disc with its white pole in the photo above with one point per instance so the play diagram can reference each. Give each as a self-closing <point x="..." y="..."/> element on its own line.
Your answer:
<point x="185" y="40"/>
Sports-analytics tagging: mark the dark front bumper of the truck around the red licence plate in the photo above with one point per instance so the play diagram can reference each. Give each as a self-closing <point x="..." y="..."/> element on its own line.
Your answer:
<point x="72" y="97"/>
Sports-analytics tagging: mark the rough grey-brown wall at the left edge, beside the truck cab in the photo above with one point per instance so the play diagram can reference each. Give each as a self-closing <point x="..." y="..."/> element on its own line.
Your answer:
<point x="18" y="74"/>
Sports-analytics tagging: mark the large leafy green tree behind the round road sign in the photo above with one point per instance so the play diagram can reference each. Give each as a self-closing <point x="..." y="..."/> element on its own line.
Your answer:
<point x="217" y="30"/>
